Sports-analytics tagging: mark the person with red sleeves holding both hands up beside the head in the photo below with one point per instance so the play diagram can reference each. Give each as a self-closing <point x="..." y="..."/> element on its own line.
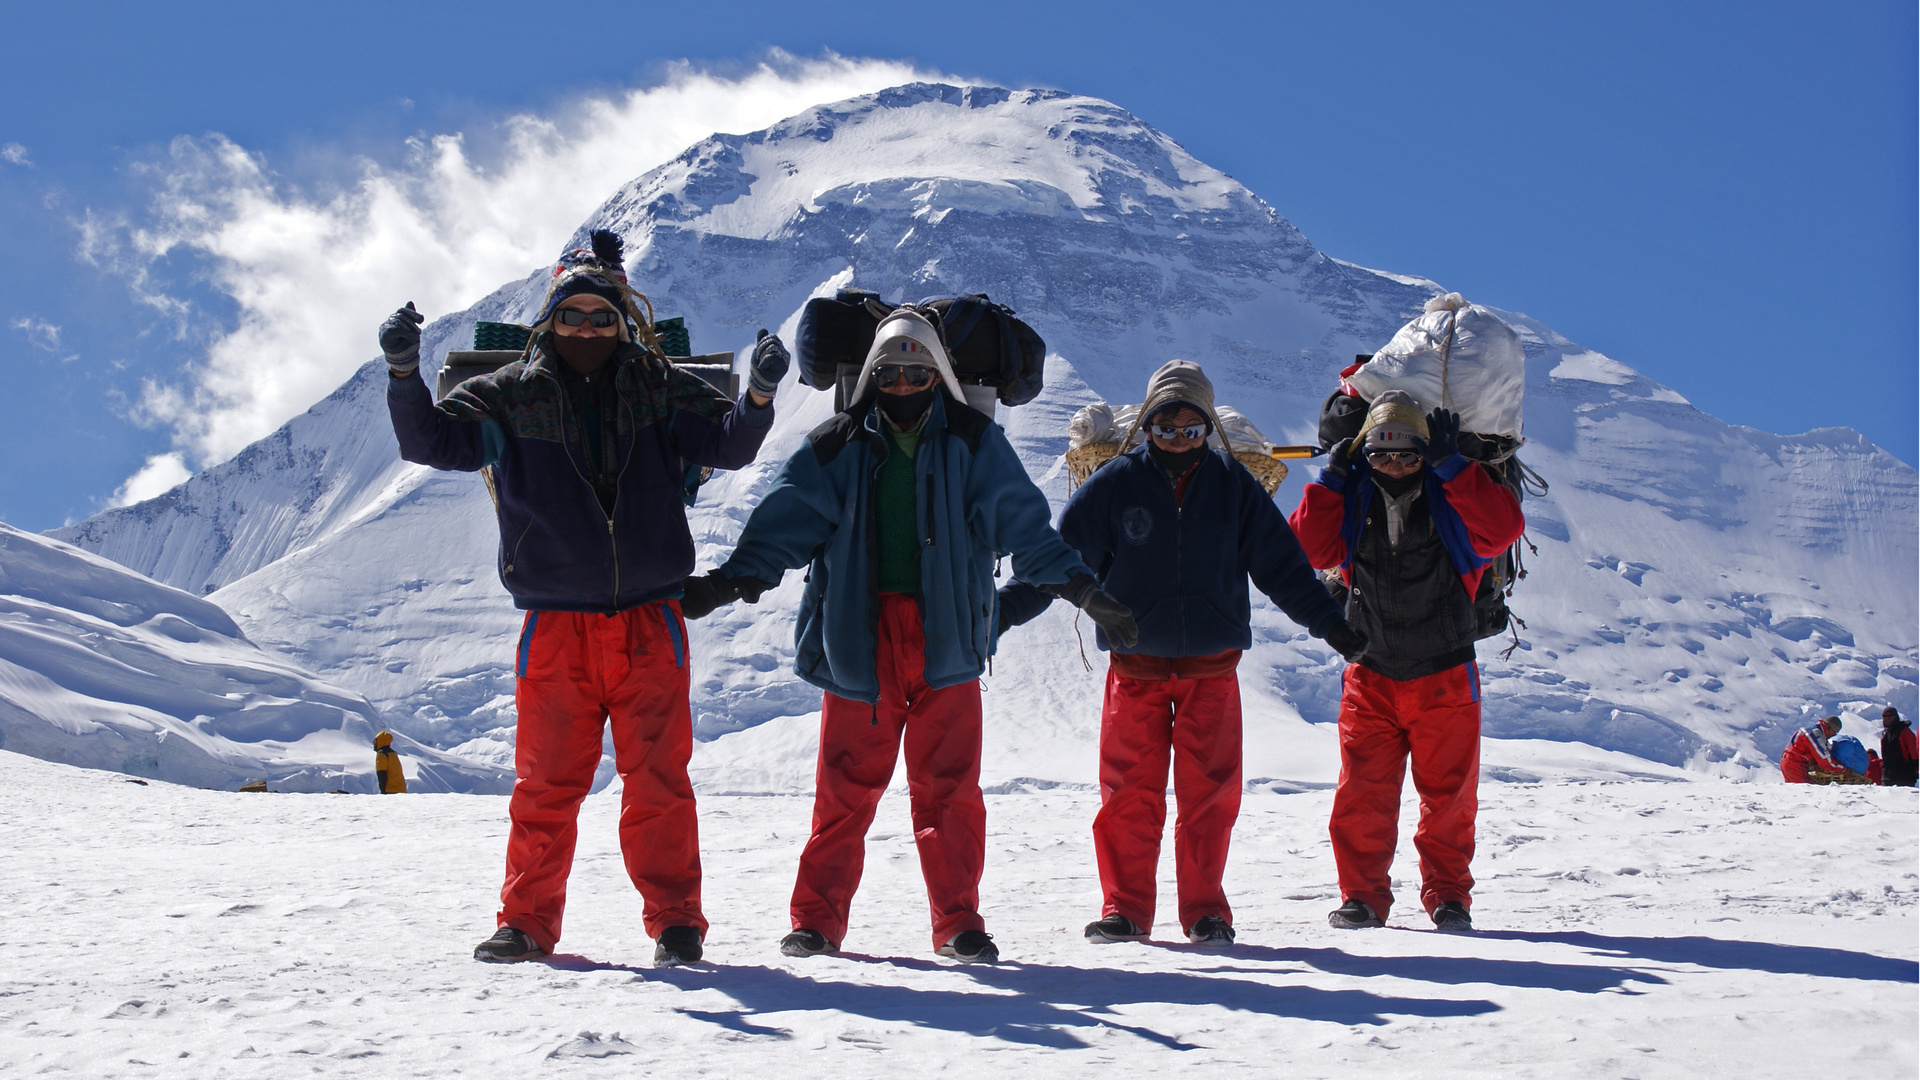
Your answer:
<point x="1412" y="528"/>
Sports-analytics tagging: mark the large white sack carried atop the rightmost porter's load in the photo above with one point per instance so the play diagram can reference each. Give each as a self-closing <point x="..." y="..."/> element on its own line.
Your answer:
<point x="1460" y="356"/>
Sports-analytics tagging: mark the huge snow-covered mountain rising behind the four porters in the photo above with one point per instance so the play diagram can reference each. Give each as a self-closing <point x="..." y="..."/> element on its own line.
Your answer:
<point x="1698" y="587"/>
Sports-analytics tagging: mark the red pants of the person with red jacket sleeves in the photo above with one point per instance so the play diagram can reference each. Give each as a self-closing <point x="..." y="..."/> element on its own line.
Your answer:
<point x="1385" y="722"/>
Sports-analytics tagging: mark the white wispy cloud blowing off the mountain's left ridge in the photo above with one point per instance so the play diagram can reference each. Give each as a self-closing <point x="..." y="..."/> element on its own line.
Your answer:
<point x="314" y="278"/>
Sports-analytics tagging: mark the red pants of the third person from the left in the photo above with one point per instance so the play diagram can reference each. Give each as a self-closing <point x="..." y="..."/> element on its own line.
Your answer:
<point x="1143" y="724"/>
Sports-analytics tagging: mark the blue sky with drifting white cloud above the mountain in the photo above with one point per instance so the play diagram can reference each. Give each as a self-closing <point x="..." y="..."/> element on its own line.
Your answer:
<point x="1717" y="197"/>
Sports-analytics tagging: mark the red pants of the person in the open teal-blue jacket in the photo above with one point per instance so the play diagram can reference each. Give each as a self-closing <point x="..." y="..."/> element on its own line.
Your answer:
<point x="859" y="747"/>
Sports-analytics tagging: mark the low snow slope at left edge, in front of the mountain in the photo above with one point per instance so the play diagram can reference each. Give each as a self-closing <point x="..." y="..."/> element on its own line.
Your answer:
<point x="108" y="670"/>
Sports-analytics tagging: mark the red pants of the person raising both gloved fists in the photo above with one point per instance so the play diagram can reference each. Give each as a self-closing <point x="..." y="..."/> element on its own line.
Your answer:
<point x="577" y="674"/>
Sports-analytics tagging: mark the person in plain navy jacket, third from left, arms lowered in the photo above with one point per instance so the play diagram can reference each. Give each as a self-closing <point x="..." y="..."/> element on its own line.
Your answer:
<point x="1174" y="531"/>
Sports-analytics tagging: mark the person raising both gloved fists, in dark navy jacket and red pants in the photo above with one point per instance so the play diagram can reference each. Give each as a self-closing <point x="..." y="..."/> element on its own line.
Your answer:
<point x="588" y="439"/>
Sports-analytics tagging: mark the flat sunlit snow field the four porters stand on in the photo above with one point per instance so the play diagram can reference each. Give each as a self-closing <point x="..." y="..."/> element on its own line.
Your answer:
<point x="1631" y="929"/>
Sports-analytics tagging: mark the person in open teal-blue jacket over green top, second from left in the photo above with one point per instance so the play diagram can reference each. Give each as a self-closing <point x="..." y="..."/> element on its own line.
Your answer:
<point x="900" y="506"/>
